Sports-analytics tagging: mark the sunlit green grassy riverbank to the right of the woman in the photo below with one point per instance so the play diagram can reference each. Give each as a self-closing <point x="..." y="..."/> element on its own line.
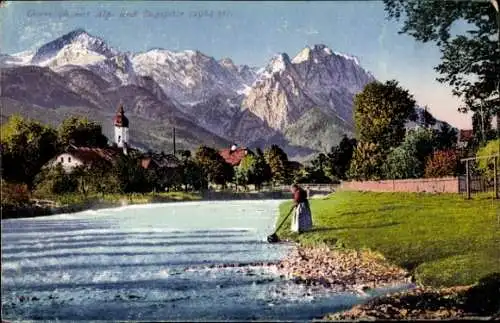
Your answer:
<point x="444" y="240"/>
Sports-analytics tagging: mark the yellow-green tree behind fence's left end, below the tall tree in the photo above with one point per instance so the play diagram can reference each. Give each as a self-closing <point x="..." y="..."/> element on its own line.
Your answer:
<point x="367" y="162"/>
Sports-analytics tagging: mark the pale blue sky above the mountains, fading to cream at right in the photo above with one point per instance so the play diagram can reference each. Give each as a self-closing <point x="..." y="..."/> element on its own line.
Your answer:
<point x="247" y="32"/>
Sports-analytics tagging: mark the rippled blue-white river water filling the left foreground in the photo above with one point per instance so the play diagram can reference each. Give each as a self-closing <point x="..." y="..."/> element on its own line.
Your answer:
<point x="152" y="262"/>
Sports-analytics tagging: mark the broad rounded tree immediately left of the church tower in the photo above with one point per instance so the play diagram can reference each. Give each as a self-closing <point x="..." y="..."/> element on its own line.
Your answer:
<point x="81" y="132"/>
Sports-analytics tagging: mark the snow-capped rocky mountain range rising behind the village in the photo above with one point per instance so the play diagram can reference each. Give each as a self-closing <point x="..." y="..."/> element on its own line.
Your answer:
<point x="303" y="103"/>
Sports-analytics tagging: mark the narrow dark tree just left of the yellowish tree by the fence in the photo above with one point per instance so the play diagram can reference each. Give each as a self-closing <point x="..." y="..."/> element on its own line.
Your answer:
<point x="339" y="159"/>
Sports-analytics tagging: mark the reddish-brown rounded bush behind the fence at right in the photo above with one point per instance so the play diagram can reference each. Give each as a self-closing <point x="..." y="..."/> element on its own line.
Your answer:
<point x="442" y="163"/>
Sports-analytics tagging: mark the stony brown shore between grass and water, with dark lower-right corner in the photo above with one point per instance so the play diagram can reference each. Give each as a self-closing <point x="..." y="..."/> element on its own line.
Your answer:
<point x="362" y="270"/>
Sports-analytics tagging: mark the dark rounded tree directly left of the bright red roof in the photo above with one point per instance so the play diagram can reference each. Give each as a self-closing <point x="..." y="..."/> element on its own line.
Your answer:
<point x="214" y="167"/>
